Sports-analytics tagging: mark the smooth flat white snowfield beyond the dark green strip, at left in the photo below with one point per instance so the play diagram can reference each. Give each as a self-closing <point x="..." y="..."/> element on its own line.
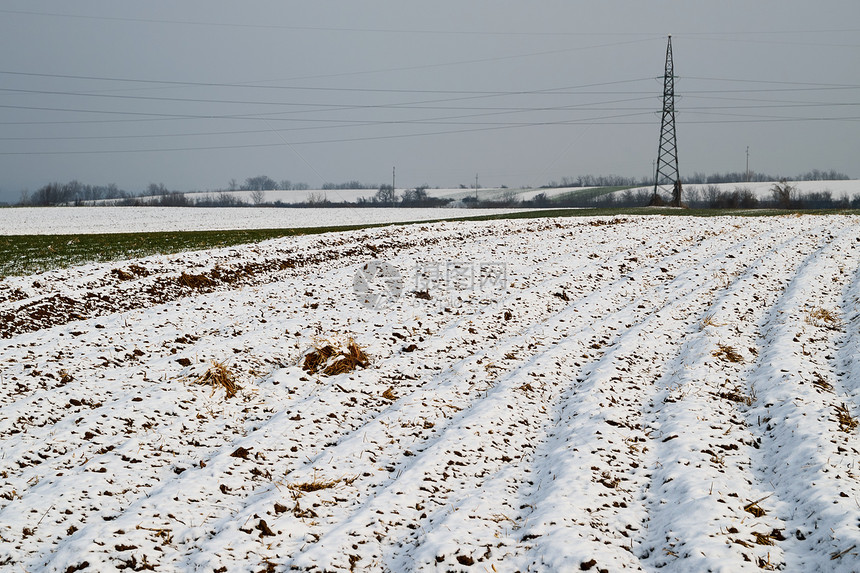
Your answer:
<point x="93" y="220"/>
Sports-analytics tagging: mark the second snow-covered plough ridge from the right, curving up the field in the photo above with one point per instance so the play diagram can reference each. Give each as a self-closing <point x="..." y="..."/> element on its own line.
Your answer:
<point x="706" y="527"/>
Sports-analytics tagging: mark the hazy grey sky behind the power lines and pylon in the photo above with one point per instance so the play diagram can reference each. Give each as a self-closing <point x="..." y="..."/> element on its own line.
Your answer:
<point x="195" y="93"/>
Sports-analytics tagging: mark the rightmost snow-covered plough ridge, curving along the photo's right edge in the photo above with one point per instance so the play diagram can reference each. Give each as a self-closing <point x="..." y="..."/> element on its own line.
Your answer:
<point x="802" y="459"/>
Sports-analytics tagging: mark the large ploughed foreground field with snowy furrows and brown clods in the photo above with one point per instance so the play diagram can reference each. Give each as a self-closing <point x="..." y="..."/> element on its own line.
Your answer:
<point x="591" y="394"/>
